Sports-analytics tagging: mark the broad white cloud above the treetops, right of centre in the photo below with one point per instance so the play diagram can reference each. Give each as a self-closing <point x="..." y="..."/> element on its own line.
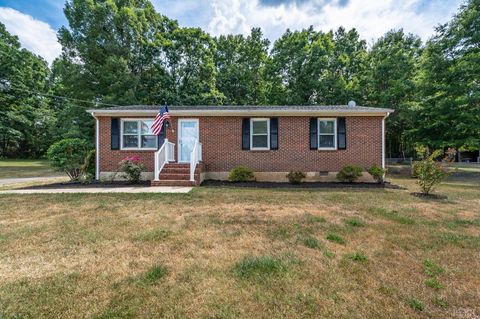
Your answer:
<point x="371" y="18"/>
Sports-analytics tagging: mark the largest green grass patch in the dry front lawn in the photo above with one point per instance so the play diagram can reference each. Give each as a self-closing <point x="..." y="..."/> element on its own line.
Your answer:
<point x="255" y="266"/>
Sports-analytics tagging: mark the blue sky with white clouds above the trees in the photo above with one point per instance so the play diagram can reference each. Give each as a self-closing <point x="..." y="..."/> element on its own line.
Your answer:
<point x="36" y="22"/>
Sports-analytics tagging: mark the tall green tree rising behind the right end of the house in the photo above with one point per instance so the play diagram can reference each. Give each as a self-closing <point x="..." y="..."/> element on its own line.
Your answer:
<point x="389" y="81"/>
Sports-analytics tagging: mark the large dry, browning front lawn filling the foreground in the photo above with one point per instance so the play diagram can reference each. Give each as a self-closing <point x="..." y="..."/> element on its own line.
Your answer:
<point x="242" y="253"/>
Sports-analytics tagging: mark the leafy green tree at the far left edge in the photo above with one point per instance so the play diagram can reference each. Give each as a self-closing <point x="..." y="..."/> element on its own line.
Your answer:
<point x="25" y="118"/>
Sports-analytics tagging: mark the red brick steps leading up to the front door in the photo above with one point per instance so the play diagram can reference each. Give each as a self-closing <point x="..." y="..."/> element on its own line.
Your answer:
<point x="178" y="174"/>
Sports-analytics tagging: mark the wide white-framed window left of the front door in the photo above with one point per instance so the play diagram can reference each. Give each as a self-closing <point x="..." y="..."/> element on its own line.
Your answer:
<point x="137" y="134"/>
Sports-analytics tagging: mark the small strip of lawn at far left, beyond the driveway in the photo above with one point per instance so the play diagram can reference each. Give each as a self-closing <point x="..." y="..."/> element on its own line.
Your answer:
<point x="20" y="168"/>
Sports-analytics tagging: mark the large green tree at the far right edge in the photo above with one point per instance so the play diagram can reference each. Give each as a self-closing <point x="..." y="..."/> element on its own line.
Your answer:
<point x="449" y="109"/>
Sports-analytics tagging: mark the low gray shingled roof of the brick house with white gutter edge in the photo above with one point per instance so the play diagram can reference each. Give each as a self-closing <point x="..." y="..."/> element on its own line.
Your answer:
<point x="249" y="107"/>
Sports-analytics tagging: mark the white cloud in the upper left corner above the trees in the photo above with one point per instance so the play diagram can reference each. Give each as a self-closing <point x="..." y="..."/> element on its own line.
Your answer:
<point x="34" y="35"/>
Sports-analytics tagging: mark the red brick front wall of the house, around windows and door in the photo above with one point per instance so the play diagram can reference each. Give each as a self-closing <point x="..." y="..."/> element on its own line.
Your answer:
<point x="221" y="140"/>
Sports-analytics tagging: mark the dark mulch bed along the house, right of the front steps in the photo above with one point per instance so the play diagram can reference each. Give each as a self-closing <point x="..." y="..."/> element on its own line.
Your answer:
<point x="215" y="183"/>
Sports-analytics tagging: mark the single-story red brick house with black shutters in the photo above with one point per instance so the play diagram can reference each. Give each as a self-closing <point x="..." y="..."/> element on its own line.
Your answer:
<point x="206" y="142"/>
